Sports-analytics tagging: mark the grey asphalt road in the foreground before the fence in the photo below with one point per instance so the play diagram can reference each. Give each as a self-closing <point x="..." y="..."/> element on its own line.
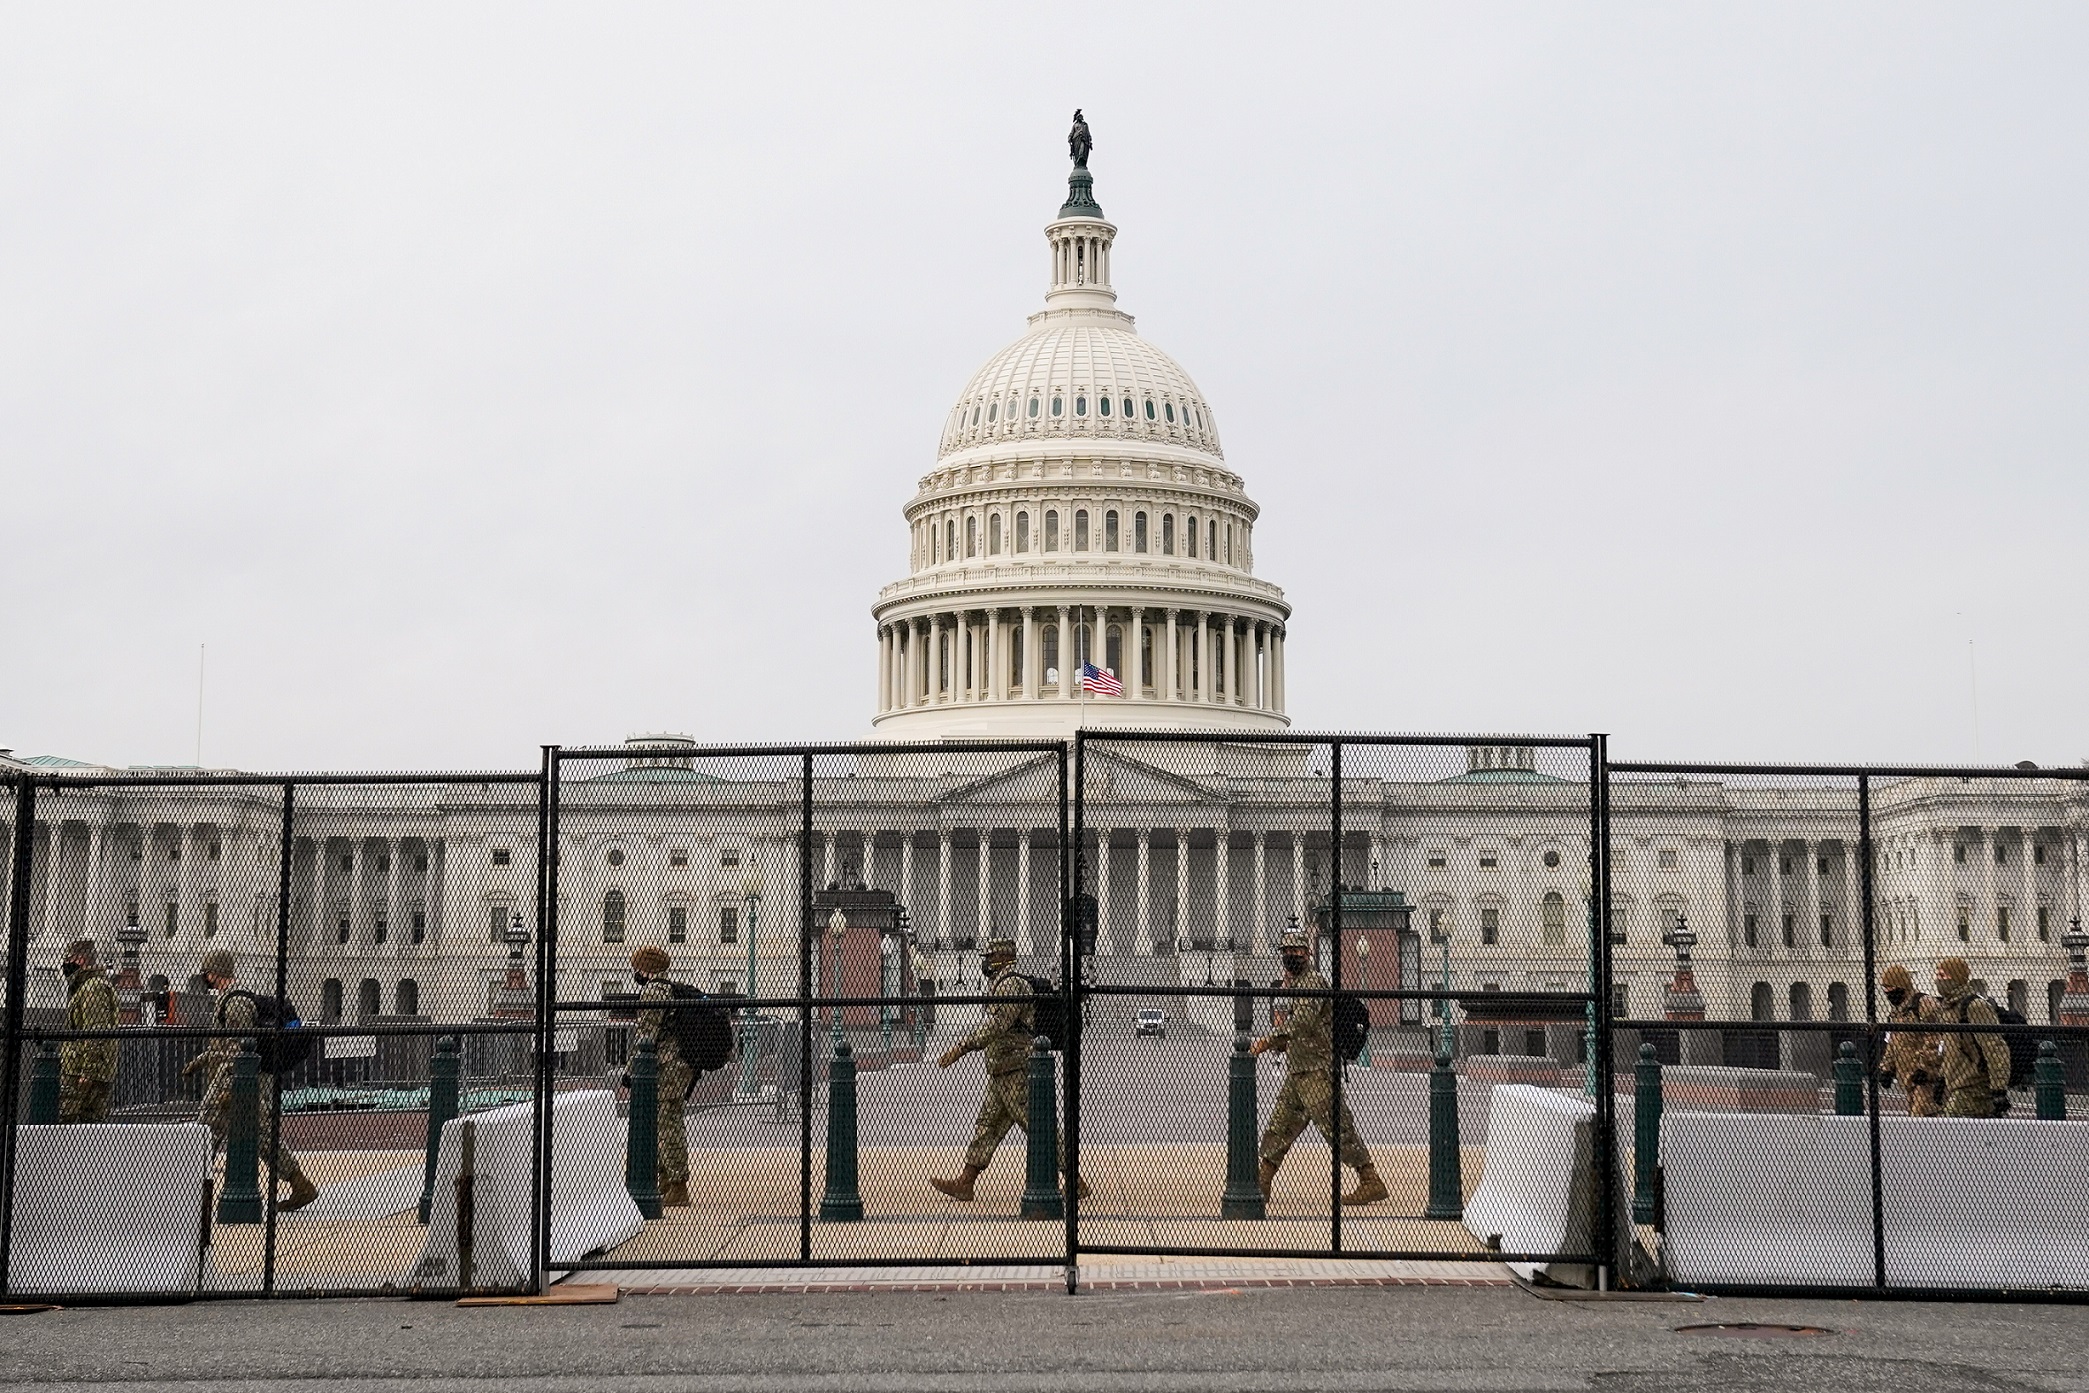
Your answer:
<point x="1294" y="1340"/>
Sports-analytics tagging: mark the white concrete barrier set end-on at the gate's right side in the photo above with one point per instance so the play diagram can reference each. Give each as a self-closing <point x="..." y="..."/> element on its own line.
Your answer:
<point x="1536" y="1183"/>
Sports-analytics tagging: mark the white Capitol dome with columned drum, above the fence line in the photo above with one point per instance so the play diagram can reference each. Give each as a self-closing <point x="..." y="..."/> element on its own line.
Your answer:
<point x="1081" y="513"/>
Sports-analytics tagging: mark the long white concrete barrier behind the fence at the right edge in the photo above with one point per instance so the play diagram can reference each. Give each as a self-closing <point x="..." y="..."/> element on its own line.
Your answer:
<point x="1967" y="1202"/>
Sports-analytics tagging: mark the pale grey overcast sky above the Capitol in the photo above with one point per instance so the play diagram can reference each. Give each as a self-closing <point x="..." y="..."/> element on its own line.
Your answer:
<point x="479" y="377"/>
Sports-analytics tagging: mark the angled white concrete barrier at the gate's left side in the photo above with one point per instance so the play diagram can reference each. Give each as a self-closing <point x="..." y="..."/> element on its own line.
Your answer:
<point x="590" y="1204"/>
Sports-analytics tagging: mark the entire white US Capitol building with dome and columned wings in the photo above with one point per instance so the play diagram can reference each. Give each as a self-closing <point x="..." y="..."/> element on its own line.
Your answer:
<point x="1081" y="511"/>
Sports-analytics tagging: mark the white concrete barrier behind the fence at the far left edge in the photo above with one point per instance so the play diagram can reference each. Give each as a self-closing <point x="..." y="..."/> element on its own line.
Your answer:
<point x="110" y="1208"/>
